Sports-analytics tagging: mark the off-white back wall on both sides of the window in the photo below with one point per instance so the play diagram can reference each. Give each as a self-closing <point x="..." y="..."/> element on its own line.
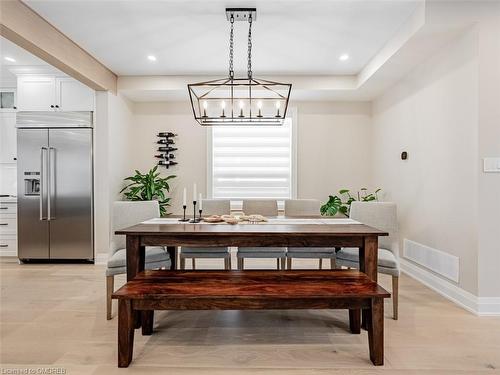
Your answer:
<point x="333" y="148"/>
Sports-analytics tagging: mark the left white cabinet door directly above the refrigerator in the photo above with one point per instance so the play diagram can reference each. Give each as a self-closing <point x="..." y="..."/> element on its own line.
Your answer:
<point x="36" y="93"/>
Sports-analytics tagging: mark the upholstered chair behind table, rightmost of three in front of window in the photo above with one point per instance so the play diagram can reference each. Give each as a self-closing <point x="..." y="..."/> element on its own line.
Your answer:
<point x="309" y="208"/>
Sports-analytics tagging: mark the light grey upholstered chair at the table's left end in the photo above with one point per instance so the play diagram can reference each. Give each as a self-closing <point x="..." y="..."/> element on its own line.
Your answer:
<point x="126" y="214"/>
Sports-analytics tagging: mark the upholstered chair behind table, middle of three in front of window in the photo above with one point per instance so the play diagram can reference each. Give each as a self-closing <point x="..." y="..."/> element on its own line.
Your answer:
<point x="265" y="208"/>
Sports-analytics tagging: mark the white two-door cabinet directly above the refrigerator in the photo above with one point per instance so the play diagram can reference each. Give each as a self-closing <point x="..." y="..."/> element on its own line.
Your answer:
<point x="50" y="93"/>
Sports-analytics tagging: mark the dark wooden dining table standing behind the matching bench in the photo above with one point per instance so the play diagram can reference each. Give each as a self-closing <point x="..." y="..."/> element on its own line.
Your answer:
<point x="279" y="231"/>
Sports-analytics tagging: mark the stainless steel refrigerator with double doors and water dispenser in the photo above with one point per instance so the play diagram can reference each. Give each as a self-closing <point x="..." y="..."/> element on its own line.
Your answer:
<point x="55" y="185"/>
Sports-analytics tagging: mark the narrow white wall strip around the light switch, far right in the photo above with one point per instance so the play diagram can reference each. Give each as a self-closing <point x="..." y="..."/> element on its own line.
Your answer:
<point x="489" y="145"/>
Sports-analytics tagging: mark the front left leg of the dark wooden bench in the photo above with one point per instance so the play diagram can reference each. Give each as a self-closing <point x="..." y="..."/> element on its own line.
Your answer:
<point x="125" y="332"/>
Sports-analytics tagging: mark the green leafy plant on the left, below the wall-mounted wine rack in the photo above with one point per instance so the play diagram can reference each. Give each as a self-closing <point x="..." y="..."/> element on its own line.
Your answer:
<point x="147" y="187"/>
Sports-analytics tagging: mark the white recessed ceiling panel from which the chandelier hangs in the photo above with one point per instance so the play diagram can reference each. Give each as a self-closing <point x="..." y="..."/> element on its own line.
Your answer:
<point x="191" y="37"/>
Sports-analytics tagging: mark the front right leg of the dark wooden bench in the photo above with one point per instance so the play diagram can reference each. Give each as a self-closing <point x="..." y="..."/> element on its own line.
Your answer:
<point x="375" y="325"/>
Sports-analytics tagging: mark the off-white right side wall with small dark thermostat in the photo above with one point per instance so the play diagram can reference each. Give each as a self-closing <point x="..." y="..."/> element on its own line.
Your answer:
<point x="433" y="115"/>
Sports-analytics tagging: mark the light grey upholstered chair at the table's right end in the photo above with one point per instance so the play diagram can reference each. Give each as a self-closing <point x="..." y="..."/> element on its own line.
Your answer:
<point x="383" y="216"/>
